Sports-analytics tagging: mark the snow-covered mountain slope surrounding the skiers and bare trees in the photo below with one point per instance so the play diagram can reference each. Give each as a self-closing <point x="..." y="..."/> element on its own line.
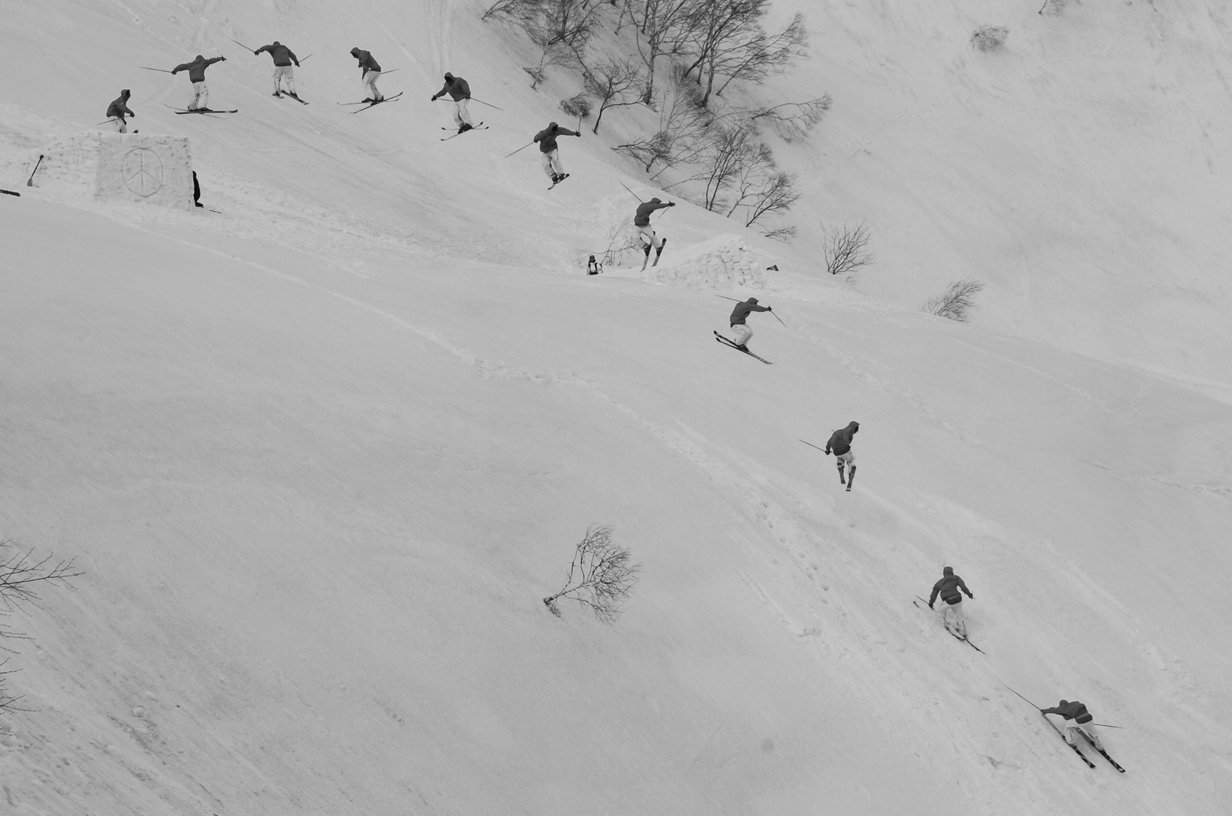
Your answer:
<point x="321" y="457"/>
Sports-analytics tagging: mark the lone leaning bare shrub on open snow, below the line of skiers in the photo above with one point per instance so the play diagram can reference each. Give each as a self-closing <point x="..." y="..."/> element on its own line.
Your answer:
<point x="602" y="576"/>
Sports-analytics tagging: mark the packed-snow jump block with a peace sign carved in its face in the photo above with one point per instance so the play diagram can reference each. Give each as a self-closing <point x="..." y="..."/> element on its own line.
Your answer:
<point x="131" y="167"/>
